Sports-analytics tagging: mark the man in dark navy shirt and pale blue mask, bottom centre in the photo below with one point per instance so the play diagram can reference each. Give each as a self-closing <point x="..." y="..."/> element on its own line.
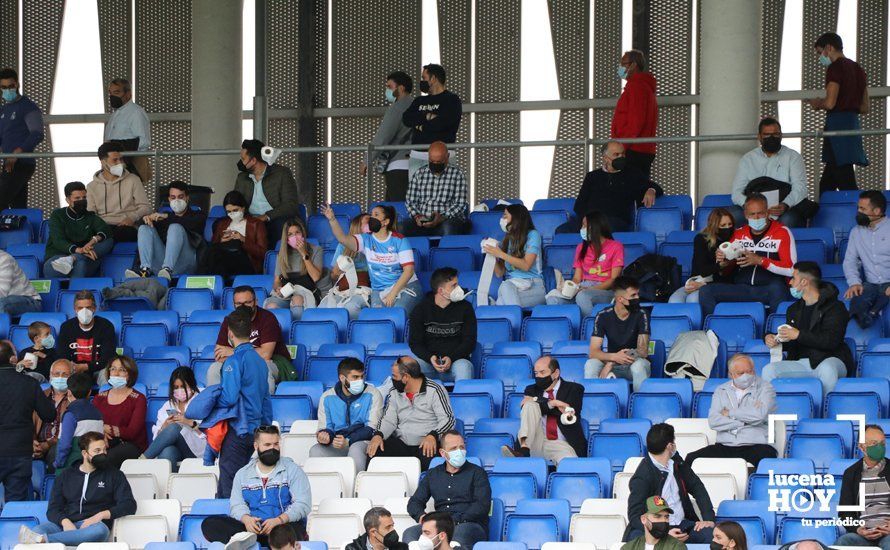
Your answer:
<point x="459" y="489"/>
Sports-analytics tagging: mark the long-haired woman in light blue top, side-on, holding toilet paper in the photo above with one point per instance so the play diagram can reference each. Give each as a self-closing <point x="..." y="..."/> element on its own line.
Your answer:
<point x="519" y="259"/>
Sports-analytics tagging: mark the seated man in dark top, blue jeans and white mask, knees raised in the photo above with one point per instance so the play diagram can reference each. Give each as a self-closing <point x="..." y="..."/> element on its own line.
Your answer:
<point x="169" y="242"/>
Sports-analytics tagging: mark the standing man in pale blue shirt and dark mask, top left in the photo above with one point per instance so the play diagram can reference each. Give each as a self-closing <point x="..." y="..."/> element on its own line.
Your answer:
<point x="129" y="126"/>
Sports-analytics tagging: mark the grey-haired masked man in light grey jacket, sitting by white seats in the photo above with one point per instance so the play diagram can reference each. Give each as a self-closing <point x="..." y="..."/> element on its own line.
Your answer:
<point x="739" y="414"/>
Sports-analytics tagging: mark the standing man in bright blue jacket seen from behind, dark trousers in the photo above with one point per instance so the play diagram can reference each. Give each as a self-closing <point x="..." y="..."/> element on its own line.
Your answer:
<point x="245" y="386"/>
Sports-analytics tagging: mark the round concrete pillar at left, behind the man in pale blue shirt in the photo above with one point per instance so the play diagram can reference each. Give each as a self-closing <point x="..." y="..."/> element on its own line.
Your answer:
<point x="216" y="91"/>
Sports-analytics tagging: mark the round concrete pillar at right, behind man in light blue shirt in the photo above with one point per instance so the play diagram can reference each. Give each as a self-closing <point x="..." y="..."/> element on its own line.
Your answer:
<point x="729" y="94"/>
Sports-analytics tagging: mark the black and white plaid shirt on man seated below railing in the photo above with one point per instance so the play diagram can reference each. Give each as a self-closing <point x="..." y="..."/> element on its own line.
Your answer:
<point x="445" y="194"/>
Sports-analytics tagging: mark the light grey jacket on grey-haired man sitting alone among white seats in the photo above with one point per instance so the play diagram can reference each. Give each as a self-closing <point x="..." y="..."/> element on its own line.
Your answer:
<point x="745" y="422"/>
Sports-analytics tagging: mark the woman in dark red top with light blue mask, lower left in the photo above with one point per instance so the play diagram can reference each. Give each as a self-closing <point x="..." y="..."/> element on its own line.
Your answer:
<point x="123" y="411"/>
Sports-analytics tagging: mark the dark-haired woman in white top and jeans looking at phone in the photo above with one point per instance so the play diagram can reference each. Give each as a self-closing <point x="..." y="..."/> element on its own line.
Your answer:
<point x="175" y="436"/>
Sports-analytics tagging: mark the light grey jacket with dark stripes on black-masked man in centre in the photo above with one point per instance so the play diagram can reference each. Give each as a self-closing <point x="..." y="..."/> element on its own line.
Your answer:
<point x="429" y="414"/>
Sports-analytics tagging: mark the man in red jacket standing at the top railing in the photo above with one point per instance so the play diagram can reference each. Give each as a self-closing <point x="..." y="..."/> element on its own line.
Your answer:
<point x="636" y="114"/>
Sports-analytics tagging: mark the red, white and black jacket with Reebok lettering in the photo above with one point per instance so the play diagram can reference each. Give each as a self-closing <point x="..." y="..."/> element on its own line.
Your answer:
<point x="776" y="246"/>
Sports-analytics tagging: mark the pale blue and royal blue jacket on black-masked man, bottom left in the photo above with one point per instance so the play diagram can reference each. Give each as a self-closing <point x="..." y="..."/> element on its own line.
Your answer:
<point x="287" y="490"/>
